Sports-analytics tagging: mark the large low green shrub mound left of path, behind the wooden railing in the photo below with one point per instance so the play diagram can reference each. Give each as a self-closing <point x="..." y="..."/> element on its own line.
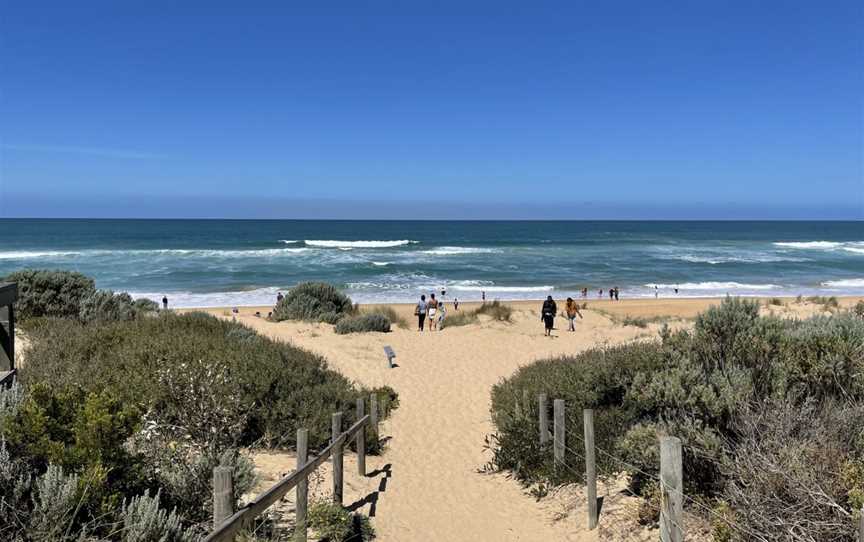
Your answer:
<point x="254" y="389"/>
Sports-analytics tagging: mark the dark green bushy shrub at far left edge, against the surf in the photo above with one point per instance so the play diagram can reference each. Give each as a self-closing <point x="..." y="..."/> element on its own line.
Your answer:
<point x="43" y="292"/>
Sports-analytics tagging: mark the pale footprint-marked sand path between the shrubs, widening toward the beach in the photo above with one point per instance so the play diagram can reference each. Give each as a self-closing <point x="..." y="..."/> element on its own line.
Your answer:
<point x="435" y="491"/>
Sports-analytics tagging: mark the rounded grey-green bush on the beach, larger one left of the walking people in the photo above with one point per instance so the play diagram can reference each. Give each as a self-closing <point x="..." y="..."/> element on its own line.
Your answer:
<point x="313" y="302"/>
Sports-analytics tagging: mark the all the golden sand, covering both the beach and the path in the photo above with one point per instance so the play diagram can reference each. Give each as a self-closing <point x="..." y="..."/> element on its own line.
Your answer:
<point x="428" y="485"/>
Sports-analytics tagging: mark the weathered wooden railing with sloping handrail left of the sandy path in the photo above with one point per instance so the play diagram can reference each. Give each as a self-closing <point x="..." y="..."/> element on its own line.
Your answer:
<point x="228" y="524"/>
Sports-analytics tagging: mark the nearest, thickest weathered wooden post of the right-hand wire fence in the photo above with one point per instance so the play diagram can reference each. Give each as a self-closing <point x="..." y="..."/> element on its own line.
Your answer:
<point x="671" y="490"/>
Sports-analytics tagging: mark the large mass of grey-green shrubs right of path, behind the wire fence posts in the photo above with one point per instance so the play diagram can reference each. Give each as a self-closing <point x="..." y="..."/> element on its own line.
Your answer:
<point x="748" y="396"/>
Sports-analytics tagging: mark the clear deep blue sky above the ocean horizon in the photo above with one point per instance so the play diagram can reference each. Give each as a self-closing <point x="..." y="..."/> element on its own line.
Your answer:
<point x="693" y="109"/>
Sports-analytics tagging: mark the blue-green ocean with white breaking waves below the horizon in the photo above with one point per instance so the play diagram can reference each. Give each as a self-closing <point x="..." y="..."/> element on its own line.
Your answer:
<point x="201" y="263"/>
